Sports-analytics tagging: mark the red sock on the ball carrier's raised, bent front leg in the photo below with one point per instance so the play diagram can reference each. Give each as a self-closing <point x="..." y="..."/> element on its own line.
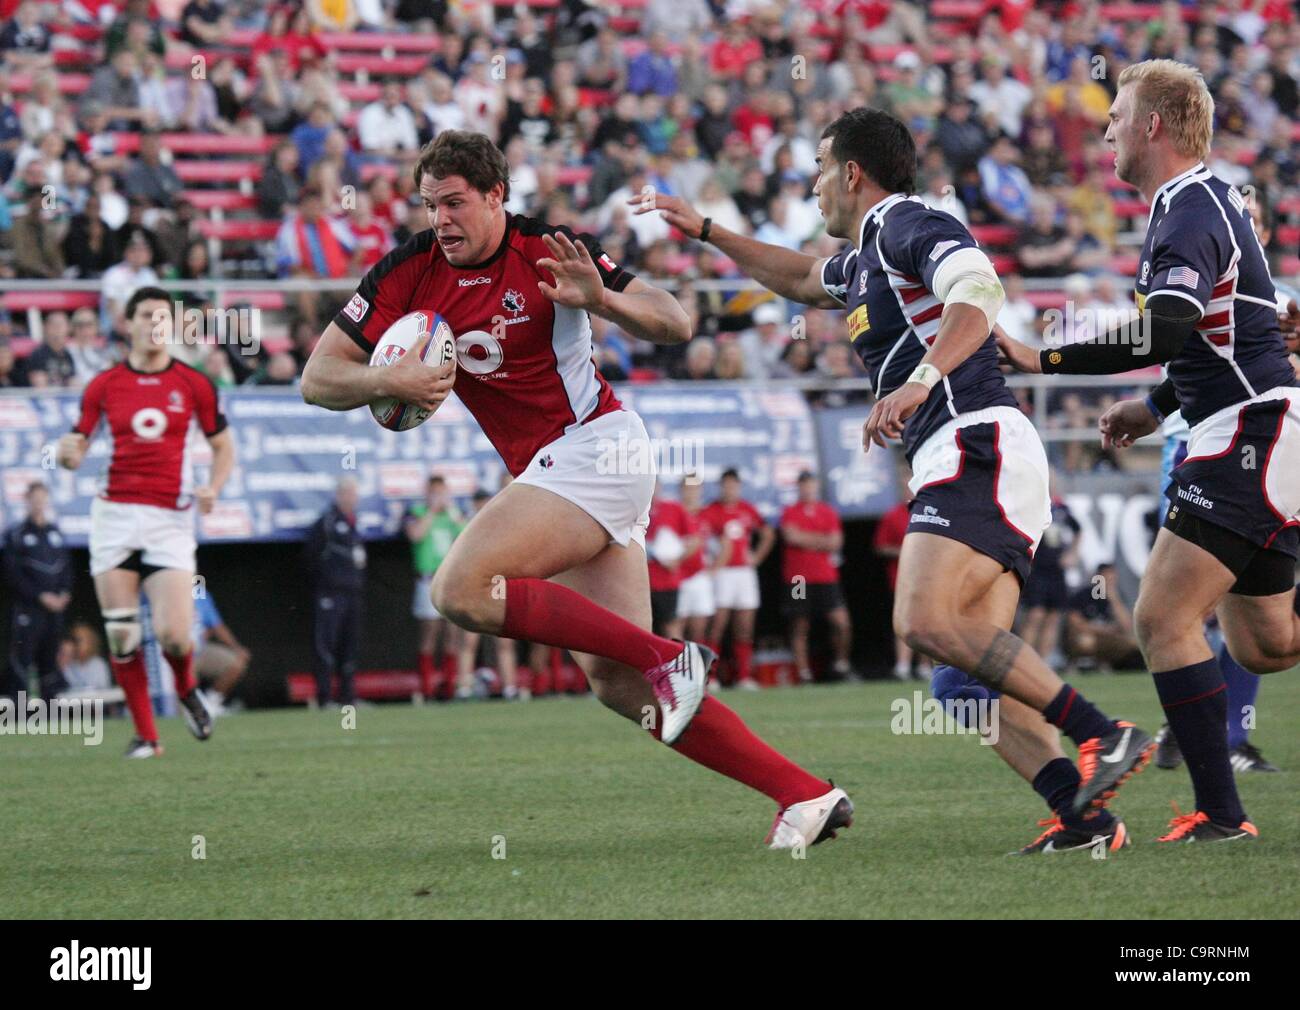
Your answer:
<point x="541" y="612"/>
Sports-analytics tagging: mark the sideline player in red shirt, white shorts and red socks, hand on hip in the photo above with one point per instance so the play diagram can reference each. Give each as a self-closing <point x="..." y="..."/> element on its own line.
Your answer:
<point x="735" y="522"/>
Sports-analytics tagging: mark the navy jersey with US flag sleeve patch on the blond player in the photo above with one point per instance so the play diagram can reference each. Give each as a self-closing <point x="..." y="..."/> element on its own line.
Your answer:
<point x="1202" y="246"/>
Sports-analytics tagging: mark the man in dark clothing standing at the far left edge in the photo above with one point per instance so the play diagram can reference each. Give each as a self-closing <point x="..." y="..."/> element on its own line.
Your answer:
<point x="40" y="574"/>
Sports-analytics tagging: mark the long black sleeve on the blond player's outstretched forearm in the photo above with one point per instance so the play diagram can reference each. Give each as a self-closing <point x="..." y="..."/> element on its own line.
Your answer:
<point x="1152" y="339"/>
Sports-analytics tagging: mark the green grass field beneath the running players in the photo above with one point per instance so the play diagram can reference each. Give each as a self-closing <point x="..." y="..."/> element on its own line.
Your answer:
<point x="401" y="816"/>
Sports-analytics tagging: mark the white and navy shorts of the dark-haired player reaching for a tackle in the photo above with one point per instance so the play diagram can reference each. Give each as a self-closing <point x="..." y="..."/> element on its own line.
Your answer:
<point x="982" y="479"/>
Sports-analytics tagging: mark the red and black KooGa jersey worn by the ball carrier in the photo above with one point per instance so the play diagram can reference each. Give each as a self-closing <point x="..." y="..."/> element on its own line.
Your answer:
<point x="525" y="363"/>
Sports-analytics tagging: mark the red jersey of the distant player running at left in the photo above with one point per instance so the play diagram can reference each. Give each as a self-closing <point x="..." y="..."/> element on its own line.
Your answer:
<point x="149" y="417"/>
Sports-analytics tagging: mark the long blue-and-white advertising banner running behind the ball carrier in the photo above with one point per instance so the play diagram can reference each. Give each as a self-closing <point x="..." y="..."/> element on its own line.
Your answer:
<point x="292" y="456"/>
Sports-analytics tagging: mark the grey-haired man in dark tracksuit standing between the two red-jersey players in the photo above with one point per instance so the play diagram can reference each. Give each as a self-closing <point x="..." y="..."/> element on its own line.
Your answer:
<point x="335" y="556"/>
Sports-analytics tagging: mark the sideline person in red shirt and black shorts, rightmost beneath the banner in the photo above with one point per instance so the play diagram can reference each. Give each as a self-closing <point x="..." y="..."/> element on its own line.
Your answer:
<point x="813" y="537"/>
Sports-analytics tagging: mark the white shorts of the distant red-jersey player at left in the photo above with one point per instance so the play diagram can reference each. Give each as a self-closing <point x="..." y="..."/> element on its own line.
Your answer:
<point x="159" y="537"/>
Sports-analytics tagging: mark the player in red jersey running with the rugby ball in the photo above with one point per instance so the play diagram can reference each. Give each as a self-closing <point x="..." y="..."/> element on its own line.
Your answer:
<point x="570" y="530"/>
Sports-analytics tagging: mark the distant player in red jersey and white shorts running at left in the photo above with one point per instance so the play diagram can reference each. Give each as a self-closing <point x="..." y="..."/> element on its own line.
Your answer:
<point x="142" y="523"/>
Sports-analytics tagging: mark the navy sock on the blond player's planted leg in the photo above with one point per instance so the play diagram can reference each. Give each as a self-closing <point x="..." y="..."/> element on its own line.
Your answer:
<point x="1195" y="703"/>
